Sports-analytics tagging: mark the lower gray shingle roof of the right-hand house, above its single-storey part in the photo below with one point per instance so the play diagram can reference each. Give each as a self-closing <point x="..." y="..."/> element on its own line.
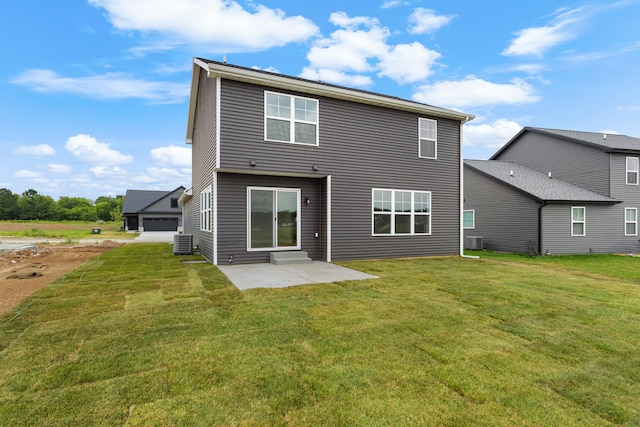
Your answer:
<point x="535" y="183"/>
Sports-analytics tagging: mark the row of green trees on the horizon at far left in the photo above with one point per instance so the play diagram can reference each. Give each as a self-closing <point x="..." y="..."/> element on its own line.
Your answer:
<point x="33" y="206"/>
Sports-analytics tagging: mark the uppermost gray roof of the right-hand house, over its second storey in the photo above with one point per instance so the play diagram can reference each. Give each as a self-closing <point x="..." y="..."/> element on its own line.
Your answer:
<point x="609" y="142"/>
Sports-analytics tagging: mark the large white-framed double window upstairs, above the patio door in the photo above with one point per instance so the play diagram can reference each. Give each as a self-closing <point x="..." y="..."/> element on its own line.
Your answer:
<point x="290" y="118"/>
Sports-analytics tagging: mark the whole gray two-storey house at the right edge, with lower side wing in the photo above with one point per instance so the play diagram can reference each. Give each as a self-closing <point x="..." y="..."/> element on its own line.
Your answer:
<point x="556" y="191"/>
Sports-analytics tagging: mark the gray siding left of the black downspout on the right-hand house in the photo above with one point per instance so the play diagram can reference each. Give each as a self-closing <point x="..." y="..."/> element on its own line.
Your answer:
<point x="505" y="218"/>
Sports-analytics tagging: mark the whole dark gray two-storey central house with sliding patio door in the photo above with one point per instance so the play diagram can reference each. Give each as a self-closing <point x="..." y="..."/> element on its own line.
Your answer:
<point x="286" y="164"/>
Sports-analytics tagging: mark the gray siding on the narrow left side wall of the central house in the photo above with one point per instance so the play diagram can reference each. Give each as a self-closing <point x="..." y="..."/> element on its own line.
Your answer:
<point x="203" y="152"/>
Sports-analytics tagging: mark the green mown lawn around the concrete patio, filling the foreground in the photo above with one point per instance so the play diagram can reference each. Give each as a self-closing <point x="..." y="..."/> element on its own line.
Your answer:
<point x="138" y="337"/>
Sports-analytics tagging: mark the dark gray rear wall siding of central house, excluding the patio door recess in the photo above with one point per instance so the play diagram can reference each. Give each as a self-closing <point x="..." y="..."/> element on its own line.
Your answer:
<point x="361" y="147"/>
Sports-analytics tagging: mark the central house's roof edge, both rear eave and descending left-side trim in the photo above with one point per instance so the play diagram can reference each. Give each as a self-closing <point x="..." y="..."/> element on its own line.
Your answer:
<point x="316" y="87"/>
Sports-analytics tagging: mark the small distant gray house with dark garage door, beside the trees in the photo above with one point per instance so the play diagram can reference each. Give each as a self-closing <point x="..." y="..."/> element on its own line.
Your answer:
<point x="146" y="210"/>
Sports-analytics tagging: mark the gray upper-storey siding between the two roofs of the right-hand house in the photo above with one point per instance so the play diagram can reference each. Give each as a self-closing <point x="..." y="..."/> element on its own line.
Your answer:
<point x="581" y="165"/>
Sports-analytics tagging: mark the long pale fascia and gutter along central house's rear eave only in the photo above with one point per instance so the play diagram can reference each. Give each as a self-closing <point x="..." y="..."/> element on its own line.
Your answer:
<point x="318" y="88"/>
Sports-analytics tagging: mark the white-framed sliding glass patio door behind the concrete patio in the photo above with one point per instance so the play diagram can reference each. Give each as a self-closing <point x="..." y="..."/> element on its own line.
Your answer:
<point x="273" y="218"/>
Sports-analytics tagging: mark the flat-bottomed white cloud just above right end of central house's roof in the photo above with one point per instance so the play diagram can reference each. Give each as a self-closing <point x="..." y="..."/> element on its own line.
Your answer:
<point x="474" y="92"/>
